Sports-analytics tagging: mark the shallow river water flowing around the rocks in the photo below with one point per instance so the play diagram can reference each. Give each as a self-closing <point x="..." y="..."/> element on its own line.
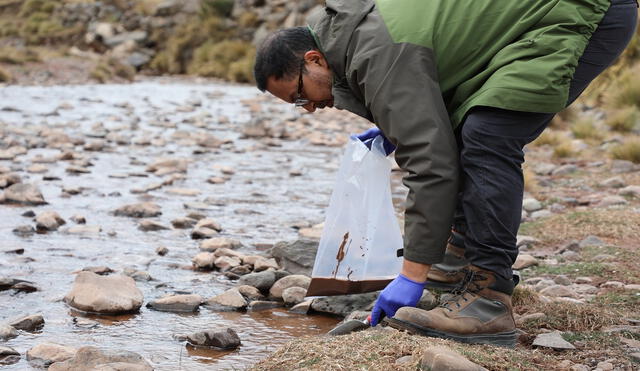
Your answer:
<point x="258" y="206"/>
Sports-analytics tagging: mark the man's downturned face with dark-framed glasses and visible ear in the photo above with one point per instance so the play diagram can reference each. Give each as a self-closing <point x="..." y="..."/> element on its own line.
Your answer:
<point x="314" y="85"/>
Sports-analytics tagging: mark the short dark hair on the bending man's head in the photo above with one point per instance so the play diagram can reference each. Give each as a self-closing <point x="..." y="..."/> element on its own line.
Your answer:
<point x="280" y="54"/>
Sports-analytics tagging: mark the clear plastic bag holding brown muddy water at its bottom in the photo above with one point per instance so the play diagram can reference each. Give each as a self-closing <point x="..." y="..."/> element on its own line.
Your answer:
<point x="361" y="235"/>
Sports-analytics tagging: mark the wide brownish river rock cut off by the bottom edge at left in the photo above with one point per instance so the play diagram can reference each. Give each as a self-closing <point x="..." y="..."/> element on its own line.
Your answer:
<point x="92" y="358"/>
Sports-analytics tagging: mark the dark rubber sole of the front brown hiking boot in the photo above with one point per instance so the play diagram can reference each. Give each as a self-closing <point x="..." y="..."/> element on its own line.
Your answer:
<point x="503" y="339"/>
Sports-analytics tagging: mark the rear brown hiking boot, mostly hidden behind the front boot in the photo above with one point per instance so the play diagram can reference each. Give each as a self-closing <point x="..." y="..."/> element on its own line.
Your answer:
<point x="448" y="274"/>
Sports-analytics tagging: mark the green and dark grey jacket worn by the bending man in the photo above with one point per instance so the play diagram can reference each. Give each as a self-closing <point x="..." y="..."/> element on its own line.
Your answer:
<point x="416" y="67"/>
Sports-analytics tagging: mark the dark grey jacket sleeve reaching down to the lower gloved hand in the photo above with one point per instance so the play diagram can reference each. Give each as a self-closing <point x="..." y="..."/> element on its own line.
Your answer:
<point x="398" y="84"/>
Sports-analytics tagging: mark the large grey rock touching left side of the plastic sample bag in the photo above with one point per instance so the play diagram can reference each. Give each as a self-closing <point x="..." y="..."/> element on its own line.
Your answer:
<point x="296" y="257"/>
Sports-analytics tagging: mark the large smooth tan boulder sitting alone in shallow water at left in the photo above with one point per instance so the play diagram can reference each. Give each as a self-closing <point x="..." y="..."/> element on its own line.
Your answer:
<point x="104" y="294"/>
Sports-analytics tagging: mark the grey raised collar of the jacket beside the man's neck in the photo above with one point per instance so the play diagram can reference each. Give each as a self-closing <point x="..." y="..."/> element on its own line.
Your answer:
<point x="329" y="25"/>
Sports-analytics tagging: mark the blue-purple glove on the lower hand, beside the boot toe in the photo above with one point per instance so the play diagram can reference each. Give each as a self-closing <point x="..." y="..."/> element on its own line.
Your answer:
<point x="401" y="292"/>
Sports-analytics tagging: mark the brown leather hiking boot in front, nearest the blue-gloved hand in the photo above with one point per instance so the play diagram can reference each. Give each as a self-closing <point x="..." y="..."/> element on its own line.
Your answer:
<point x="479" y="313"/>
